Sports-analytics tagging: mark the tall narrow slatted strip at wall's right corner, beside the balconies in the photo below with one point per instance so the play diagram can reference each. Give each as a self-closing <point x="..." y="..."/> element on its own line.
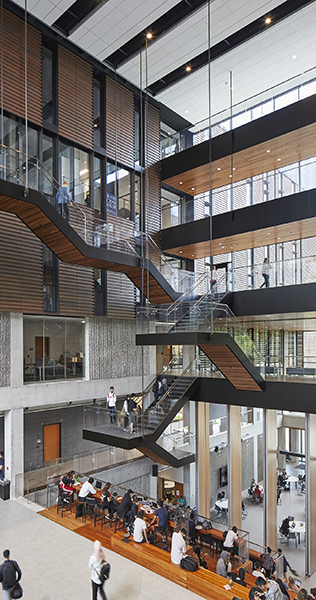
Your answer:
<point x="152" y="156"/>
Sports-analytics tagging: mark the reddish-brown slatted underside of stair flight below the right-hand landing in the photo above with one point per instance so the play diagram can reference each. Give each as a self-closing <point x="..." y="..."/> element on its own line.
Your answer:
<point x="227" y="362"/>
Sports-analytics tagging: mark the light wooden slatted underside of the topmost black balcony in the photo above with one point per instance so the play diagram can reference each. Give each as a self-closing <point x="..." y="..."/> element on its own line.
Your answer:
<point x="289" y="148"/>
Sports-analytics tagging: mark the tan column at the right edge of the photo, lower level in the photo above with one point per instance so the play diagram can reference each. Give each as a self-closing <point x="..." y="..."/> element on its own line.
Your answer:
<point x="310" y="505"/>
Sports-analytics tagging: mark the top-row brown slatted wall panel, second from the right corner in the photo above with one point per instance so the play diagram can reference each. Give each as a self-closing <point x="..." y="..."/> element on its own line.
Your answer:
<point x="119" y="123"/>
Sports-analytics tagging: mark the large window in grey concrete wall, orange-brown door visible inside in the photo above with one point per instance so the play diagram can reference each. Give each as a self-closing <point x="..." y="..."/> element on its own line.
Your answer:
<point x="53" y="348"/>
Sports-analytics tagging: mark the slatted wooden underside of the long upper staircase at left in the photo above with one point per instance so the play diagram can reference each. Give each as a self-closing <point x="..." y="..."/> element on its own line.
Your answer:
<point x="66" y="251"/>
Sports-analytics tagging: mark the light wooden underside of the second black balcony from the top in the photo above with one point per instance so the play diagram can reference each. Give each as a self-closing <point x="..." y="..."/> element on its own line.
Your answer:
<point x="285" y="232"/>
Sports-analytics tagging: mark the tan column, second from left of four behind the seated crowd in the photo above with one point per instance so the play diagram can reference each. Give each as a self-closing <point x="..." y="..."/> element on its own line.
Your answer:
<point x="234" y="466"/>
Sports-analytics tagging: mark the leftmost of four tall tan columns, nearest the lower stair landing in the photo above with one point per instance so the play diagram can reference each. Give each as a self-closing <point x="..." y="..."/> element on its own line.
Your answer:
<point x="203" y="458"/>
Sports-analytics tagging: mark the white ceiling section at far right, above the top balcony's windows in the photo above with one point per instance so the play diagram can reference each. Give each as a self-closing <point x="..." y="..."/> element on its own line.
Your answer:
<point x="257" y="65"/>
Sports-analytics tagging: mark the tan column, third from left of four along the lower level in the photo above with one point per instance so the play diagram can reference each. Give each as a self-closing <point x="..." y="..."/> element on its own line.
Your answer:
<point x="270" y="477"/>
